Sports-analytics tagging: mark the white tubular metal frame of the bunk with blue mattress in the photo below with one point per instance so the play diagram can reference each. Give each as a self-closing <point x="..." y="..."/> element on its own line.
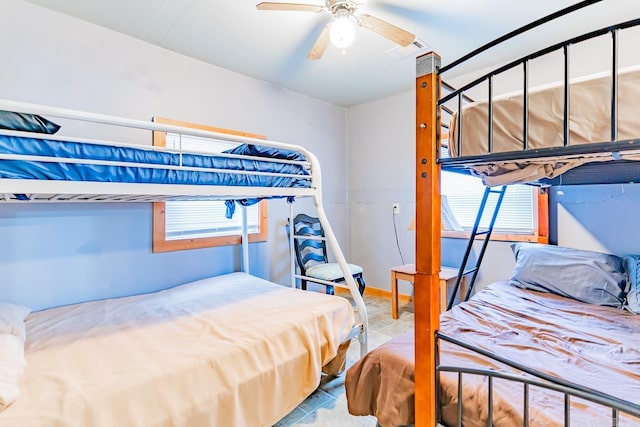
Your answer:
<point x="52" y="191"/>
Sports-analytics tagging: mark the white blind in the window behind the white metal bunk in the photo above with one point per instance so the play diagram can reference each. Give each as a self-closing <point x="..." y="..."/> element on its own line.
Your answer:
<point x="198" y="219"/>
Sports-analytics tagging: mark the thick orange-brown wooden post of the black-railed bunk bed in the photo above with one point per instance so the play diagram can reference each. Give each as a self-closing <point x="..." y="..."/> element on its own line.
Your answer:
<point x="428" y="226"/>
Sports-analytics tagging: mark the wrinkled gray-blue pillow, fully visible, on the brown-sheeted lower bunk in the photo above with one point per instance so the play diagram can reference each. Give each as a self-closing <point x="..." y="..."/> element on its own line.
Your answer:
<point x="586" y="276"/>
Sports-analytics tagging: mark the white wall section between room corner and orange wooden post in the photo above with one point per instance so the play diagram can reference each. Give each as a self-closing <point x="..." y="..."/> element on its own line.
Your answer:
<point x="381" y="172"/>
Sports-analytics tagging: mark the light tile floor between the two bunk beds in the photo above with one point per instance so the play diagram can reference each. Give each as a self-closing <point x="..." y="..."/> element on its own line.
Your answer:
<point x="327" y="406"/>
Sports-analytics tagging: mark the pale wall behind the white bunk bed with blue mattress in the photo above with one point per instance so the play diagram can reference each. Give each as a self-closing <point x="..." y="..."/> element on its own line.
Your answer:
<point x="56" y="255"/>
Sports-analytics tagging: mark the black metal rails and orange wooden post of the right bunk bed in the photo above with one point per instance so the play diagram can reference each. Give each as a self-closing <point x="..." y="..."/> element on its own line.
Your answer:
<point x="429" y="104"/>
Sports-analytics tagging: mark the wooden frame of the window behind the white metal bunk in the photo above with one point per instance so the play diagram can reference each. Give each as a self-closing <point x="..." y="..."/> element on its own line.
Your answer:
<point x="160" y="243"/>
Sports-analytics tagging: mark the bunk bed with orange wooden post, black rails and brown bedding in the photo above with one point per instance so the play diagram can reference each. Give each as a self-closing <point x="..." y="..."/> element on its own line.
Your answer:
<point x="516" y="353"/>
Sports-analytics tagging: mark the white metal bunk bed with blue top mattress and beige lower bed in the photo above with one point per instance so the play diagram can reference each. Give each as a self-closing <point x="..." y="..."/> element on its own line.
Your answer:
<point x="228" y="350"/>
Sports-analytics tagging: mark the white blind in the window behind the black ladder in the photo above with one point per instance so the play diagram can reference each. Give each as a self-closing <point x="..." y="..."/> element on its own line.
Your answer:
<point x="464" y="194"/>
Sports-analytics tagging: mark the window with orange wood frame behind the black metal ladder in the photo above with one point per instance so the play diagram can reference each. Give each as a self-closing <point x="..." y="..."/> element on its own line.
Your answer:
<point x="523" y="215"/>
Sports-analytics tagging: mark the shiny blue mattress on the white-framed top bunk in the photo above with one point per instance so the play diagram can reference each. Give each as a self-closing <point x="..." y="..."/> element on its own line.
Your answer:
<point x="20" y="169"/>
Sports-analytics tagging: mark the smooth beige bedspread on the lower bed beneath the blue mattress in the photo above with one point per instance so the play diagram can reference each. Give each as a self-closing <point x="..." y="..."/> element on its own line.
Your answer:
<point x="233" y="350"/>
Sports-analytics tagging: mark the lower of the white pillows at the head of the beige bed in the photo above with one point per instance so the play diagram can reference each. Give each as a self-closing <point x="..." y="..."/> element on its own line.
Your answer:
<point x="12" y="364"/>
